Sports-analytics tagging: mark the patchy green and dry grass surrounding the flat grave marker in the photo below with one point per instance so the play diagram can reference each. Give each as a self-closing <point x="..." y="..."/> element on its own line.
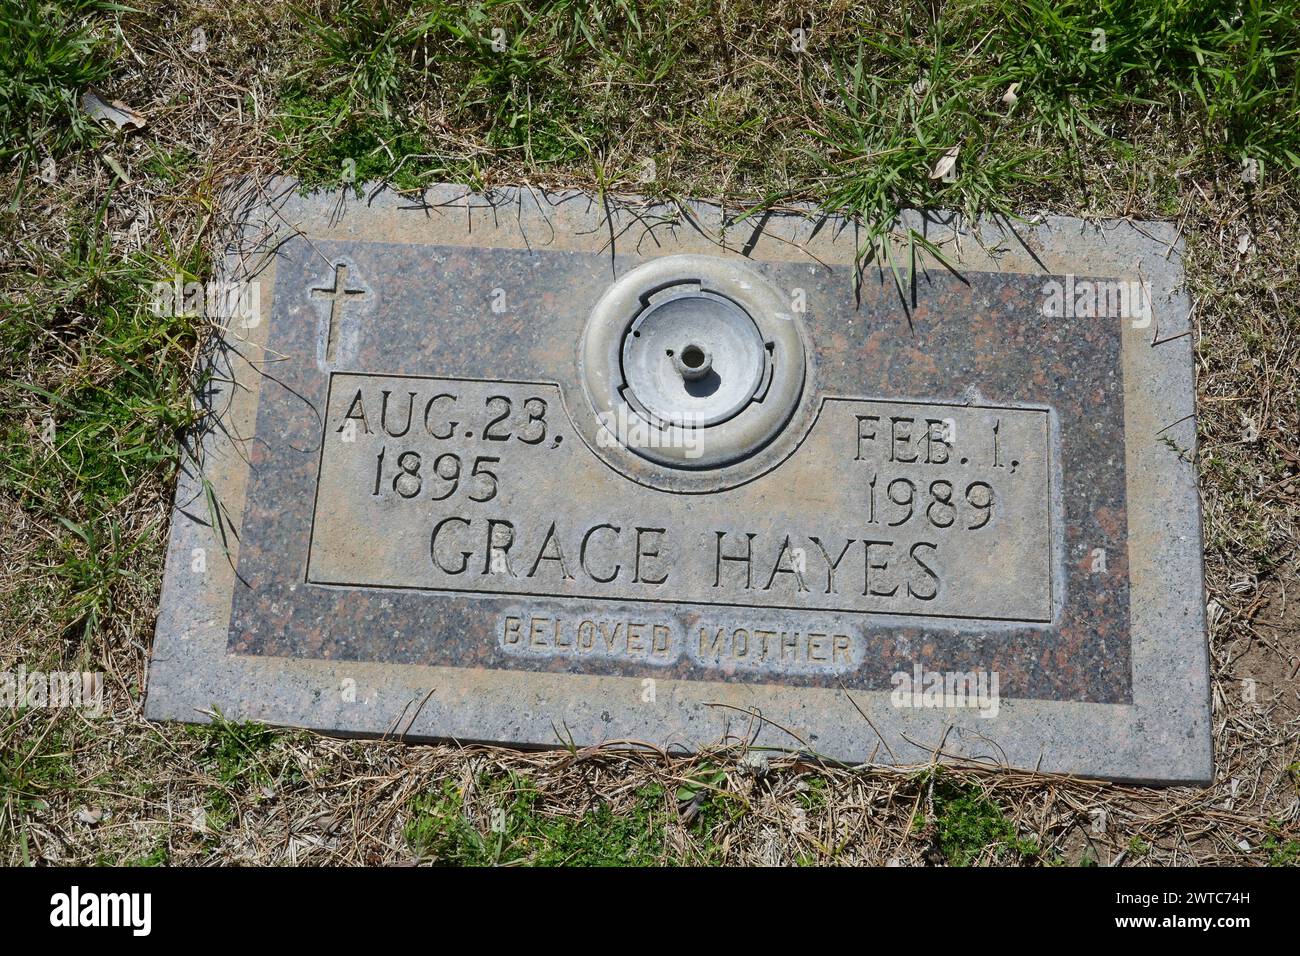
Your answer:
<point x="666" y="98"/>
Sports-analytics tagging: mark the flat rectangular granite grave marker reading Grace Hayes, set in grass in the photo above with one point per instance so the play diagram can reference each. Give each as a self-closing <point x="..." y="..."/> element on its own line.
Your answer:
<point x="541" y="469"/>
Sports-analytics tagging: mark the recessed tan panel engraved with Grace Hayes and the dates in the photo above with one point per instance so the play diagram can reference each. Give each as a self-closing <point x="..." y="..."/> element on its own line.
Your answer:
<point x="895" y="508"/>
